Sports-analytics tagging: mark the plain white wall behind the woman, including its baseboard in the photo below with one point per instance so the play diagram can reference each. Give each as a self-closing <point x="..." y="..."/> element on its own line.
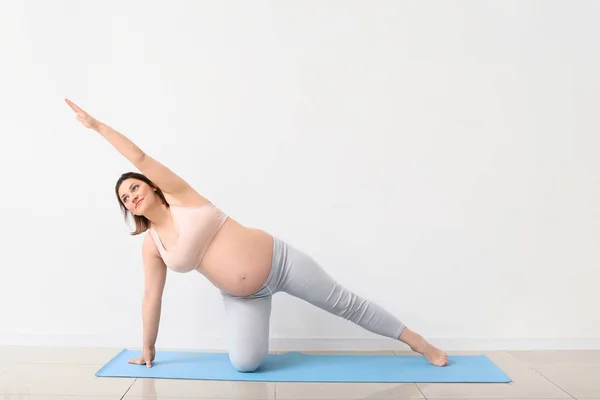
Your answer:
<point x="437" y="158"/>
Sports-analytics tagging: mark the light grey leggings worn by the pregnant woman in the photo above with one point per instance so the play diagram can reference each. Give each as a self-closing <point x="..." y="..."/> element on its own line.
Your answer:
<point x="297" y="274"/>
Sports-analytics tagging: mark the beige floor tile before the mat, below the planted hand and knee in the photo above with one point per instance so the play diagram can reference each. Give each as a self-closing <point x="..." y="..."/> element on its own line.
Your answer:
<point x="187" y="388"/>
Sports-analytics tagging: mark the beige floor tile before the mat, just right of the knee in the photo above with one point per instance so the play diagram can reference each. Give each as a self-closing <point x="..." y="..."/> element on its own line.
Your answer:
<point x="346" y="391"/>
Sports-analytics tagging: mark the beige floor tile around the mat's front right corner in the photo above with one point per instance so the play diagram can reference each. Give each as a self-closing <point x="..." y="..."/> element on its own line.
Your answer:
<point x="526" y="383"/>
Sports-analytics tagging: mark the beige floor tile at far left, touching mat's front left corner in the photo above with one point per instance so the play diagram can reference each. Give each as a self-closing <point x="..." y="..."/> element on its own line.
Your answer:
<point x="60" y="379"/>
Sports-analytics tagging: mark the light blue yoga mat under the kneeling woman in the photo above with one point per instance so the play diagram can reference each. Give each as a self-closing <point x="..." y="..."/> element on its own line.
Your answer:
<point x="299" y="367"/>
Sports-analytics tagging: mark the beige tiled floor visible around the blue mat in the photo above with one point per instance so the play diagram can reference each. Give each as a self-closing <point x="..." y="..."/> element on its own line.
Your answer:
<point x="49" y="373"/>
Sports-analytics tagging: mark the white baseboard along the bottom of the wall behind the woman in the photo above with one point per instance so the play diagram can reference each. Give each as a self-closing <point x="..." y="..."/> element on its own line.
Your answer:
<point x="289" y="344"/>
